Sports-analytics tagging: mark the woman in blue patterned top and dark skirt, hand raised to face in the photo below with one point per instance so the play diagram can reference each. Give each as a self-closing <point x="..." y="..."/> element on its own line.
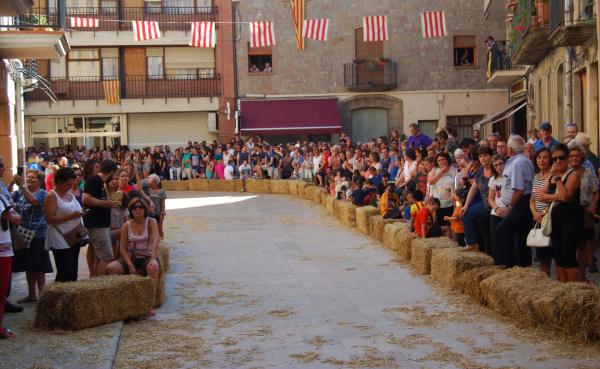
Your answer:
<point x="33" y="259"/>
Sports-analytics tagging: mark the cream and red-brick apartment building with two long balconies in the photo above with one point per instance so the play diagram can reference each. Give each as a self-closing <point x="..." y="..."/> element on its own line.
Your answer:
<point x="112" y="89"/>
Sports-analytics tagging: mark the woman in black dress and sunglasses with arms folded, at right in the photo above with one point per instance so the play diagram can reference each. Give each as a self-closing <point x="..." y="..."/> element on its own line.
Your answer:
<point x="562" y="188"/>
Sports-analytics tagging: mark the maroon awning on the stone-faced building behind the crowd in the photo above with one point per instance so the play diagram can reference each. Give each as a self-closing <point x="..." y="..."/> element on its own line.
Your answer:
<point x="284" y="117"/>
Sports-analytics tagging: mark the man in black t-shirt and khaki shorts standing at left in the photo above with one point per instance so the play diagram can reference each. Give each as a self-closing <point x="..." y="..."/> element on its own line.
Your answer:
<point x="97" y="218"/>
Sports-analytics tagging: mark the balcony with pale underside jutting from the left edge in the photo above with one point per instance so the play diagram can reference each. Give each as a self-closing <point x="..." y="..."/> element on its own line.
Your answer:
<point x="31" y="36"/>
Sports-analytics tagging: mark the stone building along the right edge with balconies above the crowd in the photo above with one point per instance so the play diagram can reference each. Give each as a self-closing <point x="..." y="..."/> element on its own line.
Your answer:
<point x="551" y="64"/>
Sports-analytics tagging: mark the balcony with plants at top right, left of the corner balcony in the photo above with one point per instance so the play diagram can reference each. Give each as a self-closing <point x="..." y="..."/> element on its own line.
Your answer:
<point x="530" y="31"/>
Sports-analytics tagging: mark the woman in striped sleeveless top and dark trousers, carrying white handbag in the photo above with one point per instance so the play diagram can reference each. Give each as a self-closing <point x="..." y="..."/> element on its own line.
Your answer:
<point x="539" y="208"/>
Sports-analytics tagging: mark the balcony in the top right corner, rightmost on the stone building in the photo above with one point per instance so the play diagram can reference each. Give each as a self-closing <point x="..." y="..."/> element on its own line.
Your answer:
<point x="572" y="26"/>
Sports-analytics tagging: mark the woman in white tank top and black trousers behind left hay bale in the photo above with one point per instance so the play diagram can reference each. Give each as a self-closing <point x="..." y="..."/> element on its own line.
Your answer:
<point x="63" y="214"/>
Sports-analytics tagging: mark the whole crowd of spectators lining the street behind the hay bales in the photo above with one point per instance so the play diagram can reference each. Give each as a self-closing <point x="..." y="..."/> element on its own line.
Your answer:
<point x="488" y="193"/>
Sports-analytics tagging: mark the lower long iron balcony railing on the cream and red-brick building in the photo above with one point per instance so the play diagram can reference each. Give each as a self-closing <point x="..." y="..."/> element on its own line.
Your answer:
<point x="132" y="87"/>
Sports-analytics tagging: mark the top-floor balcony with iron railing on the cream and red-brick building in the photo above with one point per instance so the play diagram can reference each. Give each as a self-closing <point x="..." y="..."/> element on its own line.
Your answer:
<point x="171" y="18"/>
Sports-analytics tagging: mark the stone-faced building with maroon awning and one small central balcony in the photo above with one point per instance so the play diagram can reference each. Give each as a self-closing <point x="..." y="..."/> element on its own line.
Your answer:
<point x="367" y="89"/>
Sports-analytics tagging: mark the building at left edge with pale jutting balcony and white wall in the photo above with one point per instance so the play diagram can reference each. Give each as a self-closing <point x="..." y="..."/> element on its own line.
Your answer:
<point x="22" y="40"/>
